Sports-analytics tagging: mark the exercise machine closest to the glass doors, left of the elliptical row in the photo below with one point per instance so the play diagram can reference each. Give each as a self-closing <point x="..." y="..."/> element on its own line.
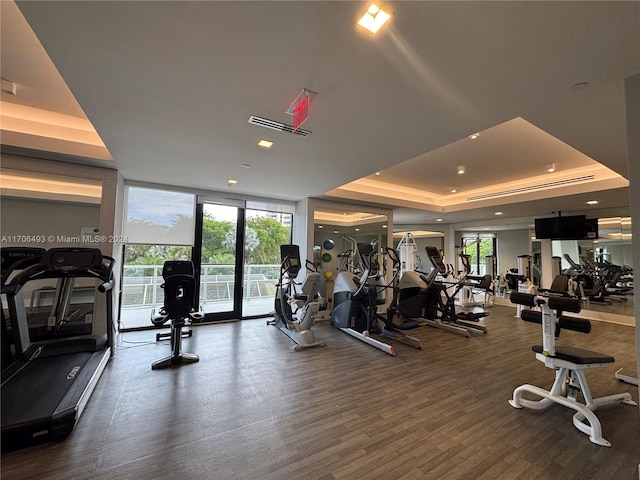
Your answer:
<point x="295" y="313"/>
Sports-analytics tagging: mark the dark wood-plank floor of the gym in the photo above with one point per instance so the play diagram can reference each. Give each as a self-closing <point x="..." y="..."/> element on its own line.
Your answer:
<point x="252" y="408"/>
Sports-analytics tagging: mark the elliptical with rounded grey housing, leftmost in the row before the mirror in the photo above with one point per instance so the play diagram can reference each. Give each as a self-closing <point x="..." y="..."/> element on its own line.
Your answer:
<point x="355" y="307"/>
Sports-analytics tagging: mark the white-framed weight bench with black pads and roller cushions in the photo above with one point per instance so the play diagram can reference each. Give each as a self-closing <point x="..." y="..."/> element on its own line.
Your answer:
<point x="568" y="362"/>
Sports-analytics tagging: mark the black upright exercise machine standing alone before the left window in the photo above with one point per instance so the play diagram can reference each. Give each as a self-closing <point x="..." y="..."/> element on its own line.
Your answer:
<point x="179" y="292"/>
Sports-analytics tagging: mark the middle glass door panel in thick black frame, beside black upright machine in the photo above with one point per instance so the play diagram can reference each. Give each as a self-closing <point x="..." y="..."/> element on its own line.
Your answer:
<point x="217" y="259"/>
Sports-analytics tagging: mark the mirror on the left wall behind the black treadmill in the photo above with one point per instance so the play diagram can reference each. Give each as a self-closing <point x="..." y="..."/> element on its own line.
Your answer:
<point x="47" y="210"/>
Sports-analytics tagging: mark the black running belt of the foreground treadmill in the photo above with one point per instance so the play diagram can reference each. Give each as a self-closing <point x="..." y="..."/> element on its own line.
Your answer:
<point x="37" y="391"/>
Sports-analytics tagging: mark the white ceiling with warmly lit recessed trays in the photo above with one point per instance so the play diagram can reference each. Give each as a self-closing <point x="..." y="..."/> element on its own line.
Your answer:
<point x="169" y="88"/>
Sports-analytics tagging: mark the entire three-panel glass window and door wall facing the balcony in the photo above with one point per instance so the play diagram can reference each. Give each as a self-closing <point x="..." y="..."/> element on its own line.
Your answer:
<point x="234" y="245"/>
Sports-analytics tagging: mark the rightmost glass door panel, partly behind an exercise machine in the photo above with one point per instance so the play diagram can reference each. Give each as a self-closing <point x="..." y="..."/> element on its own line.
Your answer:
<point x="265" y="231"/>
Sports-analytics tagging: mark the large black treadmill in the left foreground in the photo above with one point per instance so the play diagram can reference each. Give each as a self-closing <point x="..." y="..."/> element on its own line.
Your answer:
<point x="46" y="388"/>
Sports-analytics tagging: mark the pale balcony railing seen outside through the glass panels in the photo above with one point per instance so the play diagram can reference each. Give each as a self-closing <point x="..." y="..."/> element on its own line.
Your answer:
<point x="141" y="284"/>
